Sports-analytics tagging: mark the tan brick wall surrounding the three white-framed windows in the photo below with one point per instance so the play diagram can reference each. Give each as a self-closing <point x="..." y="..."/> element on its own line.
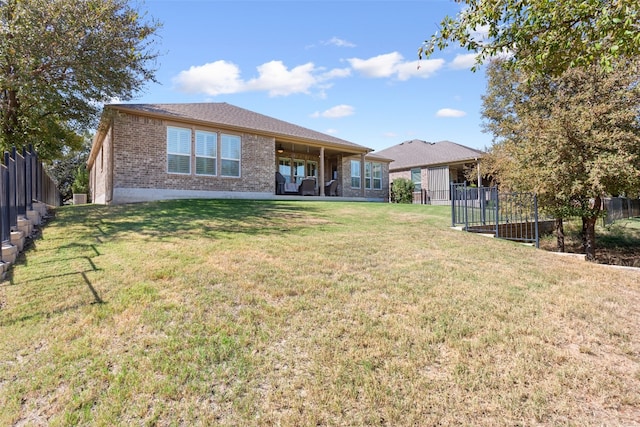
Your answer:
<point x="140" y="159"/>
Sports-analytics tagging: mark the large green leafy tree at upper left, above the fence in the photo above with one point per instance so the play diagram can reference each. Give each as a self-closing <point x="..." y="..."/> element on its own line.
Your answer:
<point x="60" y="60"/>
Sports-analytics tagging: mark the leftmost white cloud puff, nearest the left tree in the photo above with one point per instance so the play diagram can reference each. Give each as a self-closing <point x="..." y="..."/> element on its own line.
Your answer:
<point x="215" y="78"/>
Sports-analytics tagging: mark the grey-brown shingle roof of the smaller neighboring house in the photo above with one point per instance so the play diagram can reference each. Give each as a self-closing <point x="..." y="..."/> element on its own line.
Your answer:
<point x="418" y="153"/>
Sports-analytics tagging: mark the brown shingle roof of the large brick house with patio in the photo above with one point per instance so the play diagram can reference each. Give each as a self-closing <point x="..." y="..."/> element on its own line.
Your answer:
<point x="224" y="114"/>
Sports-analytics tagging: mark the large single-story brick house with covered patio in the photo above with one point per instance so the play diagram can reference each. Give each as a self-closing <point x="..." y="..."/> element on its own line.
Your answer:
<point x="145" y="152"/>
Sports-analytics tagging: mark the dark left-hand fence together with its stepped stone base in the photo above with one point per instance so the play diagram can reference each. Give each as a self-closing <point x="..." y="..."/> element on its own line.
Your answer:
<point x="25" y="192"/>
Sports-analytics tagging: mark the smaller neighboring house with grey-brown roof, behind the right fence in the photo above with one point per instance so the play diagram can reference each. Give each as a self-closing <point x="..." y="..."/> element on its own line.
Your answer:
<point x="431" y="166"/>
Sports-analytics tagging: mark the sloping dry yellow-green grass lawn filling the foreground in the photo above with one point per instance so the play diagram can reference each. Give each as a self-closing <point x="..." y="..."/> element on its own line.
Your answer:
<point x="248" y="313"/>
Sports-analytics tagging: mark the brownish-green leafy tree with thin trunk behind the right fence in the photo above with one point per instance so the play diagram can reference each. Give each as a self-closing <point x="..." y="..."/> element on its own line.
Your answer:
<point x="571" y="138"/>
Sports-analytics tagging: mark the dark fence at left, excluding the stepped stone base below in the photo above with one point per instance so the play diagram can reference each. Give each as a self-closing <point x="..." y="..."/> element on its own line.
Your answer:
<point x="23" y="181"/>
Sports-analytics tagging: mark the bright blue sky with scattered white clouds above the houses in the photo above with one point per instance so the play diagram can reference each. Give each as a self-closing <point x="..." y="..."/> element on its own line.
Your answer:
<point x="347" y="68"/>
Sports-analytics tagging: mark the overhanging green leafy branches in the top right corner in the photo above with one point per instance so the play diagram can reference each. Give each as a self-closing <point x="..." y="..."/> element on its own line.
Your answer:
<point x="543" y="36"/>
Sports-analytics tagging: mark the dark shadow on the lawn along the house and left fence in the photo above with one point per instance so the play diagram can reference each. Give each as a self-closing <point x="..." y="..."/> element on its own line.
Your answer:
<point x="73" y="250"/>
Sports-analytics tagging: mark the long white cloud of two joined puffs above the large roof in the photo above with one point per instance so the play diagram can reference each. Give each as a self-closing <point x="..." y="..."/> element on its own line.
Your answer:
<point x="222" y="77"/>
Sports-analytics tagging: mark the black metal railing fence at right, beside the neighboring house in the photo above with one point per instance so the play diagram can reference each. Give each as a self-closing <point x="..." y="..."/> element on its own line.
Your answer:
<point x="511" y="216"/>
